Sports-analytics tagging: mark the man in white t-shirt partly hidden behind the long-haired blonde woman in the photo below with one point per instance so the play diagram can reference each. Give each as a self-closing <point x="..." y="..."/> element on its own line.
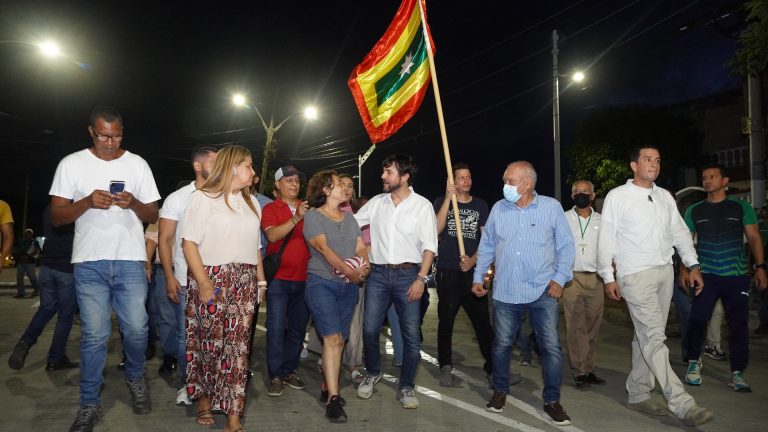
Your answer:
<point x="172" y="258"/>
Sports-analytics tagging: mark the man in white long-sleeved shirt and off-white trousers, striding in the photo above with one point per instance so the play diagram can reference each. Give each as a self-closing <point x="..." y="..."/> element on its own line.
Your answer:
<point x="640" y="225"/>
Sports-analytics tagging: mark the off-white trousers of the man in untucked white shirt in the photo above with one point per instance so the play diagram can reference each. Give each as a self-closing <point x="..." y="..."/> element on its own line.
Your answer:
<point x="648" y="294"/>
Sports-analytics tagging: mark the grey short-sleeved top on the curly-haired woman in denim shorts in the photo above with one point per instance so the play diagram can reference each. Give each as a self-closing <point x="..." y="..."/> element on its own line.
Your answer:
<point x="341" y="237"/>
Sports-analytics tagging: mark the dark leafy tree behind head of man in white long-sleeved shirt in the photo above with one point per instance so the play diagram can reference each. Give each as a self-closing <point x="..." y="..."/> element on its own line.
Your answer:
<point x="604" y="140"/>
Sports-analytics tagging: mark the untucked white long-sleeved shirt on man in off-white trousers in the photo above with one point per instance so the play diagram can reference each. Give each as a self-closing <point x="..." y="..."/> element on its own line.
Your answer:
<point x="638" y="229"/>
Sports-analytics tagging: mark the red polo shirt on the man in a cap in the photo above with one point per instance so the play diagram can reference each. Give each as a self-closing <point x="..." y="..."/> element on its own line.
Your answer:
<point x="293" y="264"/>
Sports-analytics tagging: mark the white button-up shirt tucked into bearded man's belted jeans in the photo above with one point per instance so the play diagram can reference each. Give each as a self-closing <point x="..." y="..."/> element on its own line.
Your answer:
<point x="401" y="233"/>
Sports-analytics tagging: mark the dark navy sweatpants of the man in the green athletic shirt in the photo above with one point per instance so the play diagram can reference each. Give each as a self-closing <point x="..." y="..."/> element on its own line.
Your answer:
<point x="734" y="292"/>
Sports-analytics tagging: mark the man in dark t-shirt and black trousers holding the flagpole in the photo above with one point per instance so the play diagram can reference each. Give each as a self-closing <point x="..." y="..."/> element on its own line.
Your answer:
<point x="454" y="271"/>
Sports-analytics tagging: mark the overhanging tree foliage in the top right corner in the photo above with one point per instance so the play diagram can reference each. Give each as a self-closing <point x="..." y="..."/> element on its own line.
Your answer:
<point x="752" y="56"/>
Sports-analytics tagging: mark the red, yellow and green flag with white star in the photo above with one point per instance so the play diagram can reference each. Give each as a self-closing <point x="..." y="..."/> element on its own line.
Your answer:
<point x="390" y="83"/>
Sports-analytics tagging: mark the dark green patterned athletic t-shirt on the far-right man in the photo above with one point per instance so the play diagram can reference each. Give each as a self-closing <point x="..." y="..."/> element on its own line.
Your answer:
<point x="719" y="229"/>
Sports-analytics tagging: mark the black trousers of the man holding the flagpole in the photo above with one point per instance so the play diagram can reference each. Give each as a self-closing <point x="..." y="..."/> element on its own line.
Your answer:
<point x="454" y="291"/>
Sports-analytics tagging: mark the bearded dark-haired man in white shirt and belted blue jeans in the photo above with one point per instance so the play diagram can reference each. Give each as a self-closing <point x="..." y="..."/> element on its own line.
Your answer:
<point x="403" y="244"/>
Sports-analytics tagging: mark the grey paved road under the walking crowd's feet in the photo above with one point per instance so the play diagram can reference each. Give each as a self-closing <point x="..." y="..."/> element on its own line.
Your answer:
<point x="33" y="399"/>
